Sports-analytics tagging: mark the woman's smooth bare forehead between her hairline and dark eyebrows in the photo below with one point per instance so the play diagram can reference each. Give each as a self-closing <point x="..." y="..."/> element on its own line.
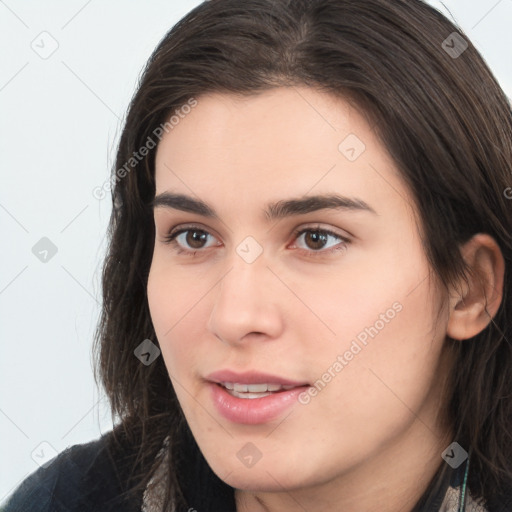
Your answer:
<point x="287" y="141"/>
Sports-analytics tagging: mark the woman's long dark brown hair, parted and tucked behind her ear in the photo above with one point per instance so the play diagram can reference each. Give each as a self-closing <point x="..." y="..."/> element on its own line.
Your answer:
<point x="437" y="109"/>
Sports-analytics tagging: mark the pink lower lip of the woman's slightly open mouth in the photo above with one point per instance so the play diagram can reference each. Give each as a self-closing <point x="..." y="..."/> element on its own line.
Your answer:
<point x="252" y="411"/>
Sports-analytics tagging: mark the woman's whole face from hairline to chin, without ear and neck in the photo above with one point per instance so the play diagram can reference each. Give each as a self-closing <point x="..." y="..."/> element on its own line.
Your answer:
<point x="304" y="267"/>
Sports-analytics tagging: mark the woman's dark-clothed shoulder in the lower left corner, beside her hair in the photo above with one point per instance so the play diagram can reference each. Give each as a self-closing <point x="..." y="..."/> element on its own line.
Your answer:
<point x="81" y="478"/>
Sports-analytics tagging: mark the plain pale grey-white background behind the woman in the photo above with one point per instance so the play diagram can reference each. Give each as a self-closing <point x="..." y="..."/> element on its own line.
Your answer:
<point x="61" y="115"/>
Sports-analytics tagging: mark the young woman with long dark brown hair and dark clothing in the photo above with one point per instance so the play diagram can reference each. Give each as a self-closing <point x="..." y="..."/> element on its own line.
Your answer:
<point x="307" y="295"/>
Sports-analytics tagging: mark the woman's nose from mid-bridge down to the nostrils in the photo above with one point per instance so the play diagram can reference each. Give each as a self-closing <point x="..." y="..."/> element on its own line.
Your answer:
<point x="246" y="302"/>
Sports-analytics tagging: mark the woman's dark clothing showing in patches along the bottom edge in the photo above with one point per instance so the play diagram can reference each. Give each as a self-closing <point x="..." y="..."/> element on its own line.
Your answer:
<point x="85" y="478"/>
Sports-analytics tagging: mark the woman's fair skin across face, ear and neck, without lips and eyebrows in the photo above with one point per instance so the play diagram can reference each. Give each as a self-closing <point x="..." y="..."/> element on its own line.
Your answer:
<point x="372" y="438"/>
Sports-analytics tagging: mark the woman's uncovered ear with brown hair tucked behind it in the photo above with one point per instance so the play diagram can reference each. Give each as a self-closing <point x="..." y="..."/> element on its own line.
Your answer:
<point x="473" y="303"/>
